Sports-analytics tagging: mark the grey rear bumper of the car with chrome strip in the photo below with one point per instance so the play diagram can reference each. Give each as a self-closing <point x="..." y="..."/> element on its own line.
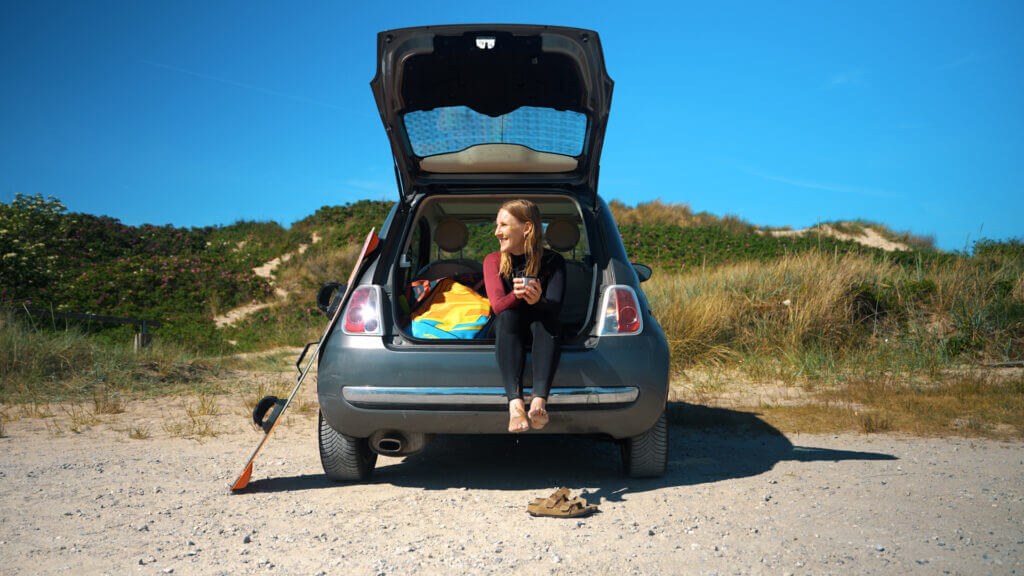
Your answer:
<point x="618" y="388"/>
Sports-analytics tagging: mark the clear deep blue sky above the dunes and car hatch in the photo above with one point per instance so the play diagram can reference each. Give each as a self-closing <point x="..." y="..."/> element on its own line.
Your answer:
<point x="910" y="114"/>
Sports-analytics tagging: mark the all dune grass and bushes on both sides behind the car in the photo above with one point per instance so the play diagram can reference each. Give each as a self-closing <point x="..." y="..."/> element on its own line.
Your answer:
<point x="871" y="340"/>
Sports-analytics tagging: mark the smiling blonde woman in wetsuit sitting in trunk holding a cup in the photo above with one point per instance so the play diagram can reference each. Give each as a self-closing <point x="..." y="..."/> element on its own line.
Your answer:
<point x="526" y="285"/>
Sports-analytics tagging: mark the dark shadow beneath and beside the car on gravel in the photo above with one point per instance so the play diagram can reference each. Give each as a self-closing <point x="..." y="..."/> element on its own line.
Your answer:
<point x="707" y="445"/>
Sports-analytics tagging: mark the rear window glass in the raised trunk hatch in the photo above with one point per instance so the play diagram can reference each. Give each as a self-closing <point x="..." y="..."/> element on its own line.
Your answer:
<point x="455" y="129"/>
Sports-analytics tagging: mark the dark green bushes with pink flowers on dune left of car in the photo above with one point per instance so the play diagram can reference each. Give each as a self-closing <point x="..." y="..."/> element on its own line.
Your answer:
<point x="97" y="265"/>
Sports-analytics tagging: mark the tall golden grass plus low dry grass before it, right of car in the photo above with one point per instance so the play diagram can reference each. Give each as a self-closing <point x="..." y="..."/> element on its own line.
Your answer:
<point x="878" y="346"/>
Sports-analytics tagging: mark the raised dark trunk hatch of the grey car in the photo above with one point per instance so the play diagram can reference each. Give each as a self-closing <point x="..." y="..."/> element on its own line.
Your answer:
<point x="479" y="104"/>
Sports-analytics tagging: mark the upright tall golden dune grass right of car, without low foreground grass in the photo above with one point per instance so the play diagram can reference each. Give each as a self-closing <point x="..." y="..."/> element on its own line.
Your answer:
<point x="816" y="309"/>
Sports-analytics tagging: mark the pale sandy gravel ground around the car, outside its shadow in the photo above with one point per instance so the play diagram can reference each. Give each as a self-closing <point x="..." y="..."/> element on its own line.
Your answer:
<point x="739" y="499"/>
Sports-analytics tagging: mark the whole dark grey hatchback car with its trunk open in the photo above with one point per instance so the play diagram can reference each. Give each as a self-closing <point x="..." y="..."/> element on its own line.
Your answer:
<point x="479" y="115"/>
